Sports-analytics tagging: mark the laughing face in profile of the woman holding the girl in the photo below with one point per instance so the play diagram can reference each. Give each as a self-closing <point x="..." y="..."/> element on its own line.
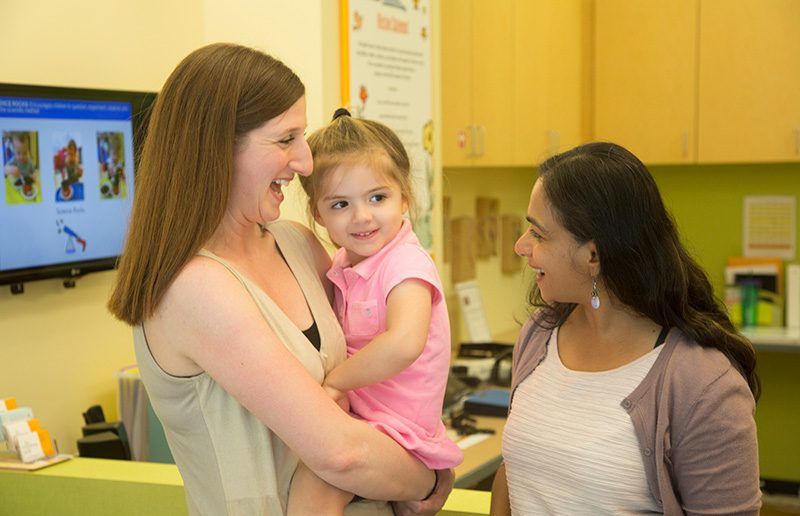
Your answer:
<point x="265" y="161"/>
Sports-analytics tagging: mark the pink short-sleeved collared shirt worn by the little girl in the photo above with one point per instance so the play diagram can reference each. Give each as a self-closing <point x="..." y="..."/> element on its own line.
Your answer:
<point x="408" y="406"/>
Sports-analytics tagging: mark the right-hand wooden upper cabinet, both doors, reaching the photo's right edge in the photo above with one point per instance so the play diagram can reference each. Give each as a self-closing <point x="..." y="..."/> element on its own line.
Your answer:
<point x="698" y="81"/>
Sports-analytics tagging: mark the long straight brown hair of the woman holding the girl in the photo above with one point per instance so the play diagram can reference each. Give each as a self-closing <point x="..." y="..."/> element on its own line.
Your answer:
<point x="212" y="99"/>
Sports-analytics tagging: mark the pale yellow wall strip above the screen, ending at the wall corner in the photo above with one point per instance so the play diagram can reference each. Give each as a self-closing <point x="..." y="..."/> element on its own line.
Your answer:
<point x="93" y="43"/>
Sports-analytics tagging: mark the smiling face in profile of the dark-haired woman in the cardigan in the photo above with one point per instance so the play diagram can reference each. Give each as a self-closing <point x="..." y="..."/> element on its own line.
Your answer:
<point x="564" y="266"/>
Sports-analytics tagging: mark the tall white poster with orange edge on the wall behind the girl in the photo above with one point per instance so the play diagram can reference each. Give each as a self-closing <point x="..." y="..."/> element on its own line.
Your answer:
<point x="386" y="77"/>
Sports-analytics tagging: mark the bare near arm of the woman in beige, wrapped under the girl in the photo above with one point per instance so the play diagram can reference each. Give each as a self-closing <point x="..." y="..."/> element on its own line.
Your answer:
<point x="208" y="318"/>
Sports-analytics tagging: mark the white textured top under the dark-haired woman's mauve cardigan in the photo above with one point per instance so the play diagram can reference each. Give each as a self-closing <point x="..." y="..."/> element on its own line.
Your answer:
<point x="569" y="446"/>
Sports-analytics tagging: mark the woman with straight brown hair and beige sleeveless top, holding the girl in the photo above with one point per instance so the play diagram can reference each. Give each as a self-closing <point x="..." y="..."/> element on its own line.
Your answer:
<point x="233" y="328"/>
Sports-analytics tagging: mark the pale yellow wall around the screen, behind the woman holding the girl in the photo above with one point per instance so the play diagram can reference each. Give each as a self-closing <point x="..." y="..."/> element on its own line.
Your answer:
<point x="60" y="347"/>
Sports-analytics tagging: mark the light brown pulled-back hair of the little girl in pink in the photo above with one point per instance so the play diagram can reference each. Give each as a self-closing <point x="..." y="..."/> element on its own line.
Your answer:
<point x="348" y="140"/>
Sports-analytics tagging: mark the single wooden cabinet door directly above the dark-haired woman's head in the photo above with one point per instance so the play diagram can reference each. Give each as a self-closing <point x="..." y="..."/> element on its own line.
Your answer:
<point x="645" y="76"/>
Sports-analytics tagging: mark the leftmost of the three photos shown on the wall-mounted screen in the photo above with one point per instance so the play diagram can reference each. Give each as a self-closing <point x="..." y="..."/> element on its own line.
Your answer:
<point x="21" y="167"/>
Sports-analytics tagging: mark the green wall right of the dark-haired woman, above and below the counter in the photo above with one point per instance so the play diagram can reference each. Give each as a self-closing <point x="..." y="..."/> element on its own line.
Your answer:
<point x="707" y="201"/>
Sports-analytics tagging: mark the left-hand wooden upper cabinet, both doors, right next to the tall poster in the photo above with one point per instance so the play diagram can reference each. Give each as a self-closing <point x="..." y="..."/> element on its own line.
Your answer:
<point x="511" y="80"/>
